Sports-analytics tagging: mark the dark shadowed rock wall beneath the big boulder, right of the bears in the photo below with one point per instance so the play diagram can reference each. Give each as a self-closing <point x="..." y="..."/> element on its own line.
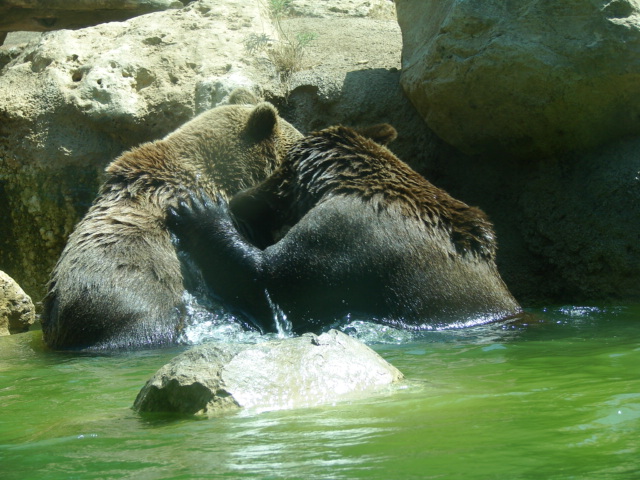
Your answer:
<point x="566" y="225"/>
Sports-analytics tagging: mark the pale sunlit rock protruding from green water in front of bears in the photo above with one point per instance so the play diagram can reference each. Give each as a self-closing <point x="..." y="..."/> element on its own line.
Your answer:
<point x="295" y="372"/>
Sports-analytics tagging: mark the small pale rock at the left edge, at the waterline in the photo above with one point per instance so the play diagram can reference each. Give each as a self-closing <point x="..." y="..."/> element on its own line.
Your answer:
<point x="17" y="312"/>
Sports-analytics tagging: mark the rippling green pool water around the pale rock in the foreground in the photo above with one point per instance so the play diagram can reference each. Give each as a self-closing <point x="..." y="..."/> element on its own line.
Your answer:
<point x="557" y="398"/>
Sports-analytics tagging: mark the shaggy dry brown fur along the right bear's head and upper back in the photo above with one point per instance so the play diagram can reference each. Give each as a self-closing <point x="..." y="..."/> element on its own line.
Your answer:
<point x="344" y="160"/>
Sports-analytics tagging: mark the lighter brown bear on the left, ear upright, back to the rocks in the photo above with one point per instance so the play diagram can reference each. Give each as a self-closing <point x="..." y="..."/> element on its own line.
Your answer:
<point x="119" y="281"/>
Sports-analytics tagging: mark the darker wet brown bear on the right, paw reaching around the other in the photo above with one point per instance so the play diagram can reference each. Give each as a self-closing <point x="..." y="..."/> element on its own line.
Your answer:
<point x="369" y="237"/>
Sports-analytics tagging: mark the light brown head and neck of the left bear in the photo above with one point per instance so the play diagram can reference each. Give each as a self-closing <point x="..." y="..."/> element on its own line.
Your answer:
<point x="221" y="151"/>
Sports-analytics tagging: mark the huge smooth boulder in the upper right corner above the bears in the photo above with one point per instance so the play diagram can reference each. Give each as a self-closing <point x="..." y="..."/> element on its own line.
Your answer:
<point x="528" y="78"/>
